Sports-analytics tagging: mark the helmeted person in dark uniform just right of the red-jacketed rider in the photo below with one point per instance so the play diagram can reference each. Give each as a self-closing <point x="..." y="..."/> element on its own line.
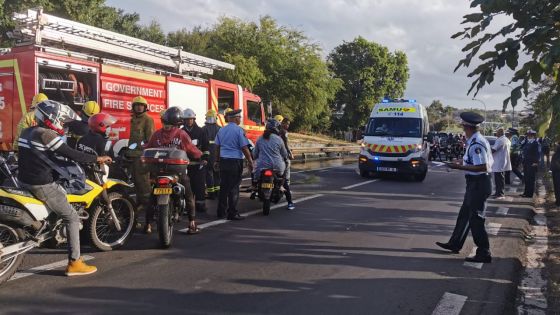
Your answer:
<point x="197" y="169"/>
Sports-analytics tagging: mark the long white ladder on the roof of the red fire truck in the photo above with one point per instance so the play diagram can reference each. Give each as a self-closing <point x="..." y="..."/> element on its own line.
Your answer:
<point x="34" y="27"/>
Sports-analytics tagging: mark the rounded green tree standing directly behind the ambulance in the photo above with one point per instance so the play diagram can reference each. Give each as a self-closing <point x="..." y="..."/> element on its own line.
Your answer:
<point x="369" y="73"/>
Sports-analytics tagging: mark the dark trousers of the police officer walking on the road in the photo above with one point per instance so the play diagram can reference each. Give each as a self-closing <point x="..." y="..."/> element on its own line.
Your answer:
<point x="472" y="215"/>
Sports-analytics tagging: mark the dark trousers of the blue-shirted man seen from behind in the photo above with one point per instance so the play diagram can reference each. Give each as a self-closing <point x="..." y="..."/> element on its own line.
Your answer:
<point x="231" y="171"/>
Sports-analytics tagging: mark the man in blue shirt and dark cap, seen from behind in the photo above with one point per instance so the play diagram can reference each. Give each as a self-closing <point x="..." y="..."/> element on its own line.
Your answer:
<point x="231" y="146"/>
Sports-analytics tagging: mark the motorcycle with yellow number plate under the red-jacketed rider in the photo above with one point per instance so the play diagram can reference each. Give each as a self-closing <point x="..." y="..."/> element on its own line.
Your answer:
<point x="168" y="194"/>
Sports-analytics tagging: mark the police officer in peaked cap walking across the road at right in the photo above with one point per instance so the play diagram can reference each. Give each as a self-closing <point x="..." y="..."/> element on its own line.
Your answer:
<point x="477" y="163"/>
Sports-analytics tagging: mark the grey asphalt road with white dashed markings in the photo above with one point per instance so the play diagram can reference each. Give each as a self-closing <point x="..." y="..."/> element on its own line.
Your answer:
<point x="353" y="246"/>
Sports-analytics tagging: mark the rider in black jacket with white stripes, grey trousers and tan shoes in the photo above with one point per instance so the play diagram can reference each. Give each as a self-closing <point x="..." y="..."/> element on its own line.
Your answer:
<point x="37" y="148"/>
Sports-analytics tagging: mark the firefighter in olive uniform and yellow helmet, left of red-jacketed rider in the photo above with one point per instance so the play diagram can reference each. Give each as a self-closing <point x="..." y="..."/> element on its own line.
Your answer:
<point x="141" y="130"/>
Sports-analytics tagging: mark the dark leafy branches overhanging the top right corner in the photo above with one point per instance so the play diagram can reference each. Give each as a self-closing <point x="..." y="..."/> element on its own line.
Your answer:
<point x="533" y="31"/>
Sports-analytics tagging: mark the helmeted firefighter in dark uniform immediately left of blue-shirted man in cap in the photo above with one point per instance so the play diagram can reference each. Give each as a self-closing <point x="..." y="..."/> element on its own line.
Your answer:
<point x="211" y="129"/>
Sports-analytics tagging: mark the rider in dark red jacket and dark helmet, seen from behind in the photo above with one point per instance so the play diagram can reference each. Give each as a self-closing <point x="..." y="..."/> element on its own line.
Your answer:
<point x="172" y="136"/>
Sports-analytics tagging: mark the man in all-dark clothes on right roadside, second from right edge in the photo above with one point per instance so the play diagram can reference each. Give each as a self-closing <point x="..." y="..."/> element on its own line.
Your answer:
<point x="531" y="157"/>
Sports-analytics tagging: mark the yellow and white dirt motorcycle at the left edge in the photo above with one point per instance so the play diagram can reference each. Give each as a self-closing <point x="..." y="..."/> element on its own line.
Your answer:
<point x="104" y="209"/>
